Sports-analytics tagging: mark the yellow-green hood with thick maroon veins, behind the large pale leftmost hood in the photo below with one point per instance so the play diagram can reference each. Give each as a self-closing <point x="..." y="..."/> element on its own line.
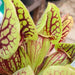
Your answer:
<point x="27" y="26"/>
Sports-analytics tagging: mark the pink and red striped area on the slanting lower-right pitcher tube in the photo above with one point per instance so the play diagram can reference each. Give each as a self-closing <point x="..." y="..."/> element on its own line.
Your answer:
<point x="58" y="58"/>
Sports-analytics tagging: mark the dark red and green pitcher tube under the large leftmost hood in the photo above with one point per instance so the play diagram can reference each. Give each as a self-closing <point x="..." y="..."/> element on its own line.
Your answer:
<point x="17" y="61"/>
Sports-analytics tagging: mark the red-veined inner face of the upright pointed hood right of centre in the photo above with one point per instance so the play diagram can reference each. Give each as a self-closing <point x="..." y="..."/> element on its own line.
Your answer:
<point x="53" y="26"/>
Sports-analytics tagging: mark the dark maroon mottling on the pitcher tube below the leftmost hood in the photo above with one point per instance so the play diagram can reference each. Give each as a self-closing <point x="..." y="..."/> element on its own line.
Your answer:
<point x="8" y="68"/>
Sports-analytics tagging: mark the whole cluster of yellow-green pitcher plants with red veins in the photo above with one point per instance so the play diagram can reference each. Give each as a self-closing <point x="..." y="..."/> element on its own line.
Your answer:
<point x="25" y="47"/>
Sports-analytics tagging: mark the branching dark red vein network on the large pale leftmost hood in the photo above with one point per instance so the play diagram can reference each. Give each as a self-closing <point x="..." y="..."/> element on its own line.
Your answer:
<point x="9" y="33"/>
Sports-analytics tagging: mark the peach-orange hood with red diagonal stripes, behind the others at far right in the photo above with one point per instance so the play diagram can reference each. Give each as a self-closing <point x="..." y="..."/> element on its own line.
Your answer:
<point x="67" y="23"/>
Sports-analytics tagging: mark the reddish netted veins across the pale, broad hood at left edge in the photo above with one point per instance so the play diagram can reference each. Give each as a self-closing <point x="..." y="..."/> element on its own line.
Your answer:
<point x="9" y="33"/>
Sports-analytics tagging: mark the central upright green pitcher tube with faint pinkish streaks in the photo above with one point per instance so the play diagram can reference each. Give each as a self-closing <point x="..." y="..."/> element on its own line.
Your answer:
<point x="37" y="50"/>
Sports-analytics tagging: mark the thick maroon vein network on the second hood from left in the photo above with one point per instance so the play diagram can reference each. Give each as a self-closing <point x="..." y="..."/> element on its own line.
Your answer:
<point x="25" y="34"/>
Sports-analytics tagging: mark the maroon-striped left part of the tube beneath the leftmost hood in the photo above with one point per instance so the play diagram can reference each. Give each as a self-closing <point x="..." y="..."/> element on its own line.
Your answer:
<point x="12" y="64"/>
